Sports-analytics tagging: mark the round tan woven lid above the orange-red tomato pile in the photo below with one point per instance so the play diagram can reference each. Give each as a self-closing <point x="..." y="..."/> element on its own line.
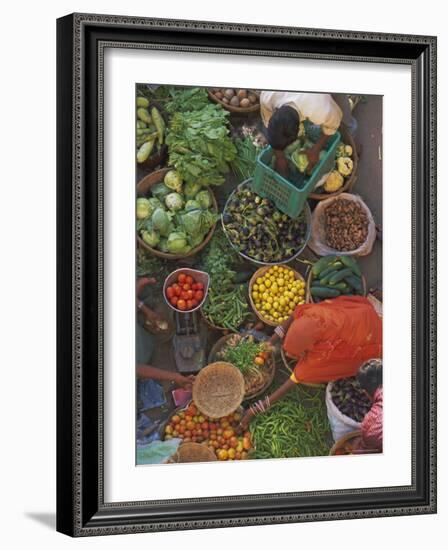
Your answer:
<point x="218" y="389"/>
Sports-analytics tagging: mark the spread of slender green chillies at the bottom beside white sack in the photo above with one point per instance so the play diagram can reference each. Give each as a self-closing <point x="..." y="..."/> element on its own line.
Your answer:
<point x="295" y="426"/>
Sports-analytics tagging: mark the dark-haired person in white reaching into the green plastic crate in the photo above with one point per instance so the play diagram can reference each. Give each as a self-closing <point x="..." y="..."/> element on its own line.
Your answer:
<point x="282" y="113"/>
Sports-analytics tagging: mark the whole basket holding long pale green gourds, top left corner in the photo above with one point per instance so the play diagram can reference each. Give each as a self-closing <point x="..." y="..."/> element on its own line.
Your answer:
<point x="151" y="150"/>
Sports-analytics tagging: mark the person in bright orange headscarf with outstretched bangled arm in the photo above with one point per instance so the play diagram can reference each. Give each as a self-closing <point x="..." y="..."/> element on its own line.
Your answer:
<point x="330" y="340"/>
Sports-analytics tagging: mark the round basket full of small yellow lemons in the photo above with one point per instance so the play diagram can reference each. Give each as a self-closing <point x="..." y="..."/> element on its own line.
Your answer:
<point x="274" y="293"/>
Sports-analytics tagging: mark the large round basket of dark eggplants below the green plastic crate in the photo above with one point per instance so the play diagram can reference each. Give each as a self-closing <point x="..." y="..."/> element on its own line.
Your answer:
<point x="259" y="232"/>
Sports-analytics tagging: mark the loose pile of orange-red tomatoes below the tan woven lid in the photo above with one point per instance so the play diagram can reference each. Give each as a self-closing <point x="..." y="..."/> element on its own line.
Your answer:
<point x="218" y="434"/>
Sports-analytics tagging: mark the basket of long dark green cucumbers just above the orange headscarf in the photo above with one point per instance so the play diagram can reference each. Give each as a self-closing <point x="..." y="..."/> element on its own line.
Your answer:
<point x="334" y="276"/>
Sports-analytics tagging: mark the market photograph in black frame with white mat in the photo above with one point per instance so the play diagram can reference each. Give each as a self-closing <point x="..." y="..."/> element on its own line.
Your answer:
<point x="246" y="274"/>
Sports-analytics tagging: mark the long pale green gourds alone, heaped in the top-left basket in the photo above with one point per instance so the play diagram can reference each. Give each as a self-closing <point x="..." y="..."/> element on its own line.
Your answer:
<point x="150" y="129"/>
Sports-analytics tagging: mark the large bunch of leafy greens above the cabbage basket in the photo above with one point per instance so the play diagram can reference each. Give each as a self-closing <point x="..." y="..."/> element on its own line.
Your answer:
<point x="199" y="144"/>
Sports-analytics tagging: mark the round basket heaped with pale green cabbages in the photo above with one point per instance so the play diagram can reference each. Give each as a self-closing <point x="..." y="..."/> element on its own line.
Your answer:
<point x="171" y="225"/>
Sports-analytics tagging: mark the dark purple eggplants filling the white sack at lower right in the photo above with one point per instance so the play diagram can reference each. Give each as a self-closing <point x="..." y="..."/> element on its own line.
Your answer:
<point x="350" y="398"/>
